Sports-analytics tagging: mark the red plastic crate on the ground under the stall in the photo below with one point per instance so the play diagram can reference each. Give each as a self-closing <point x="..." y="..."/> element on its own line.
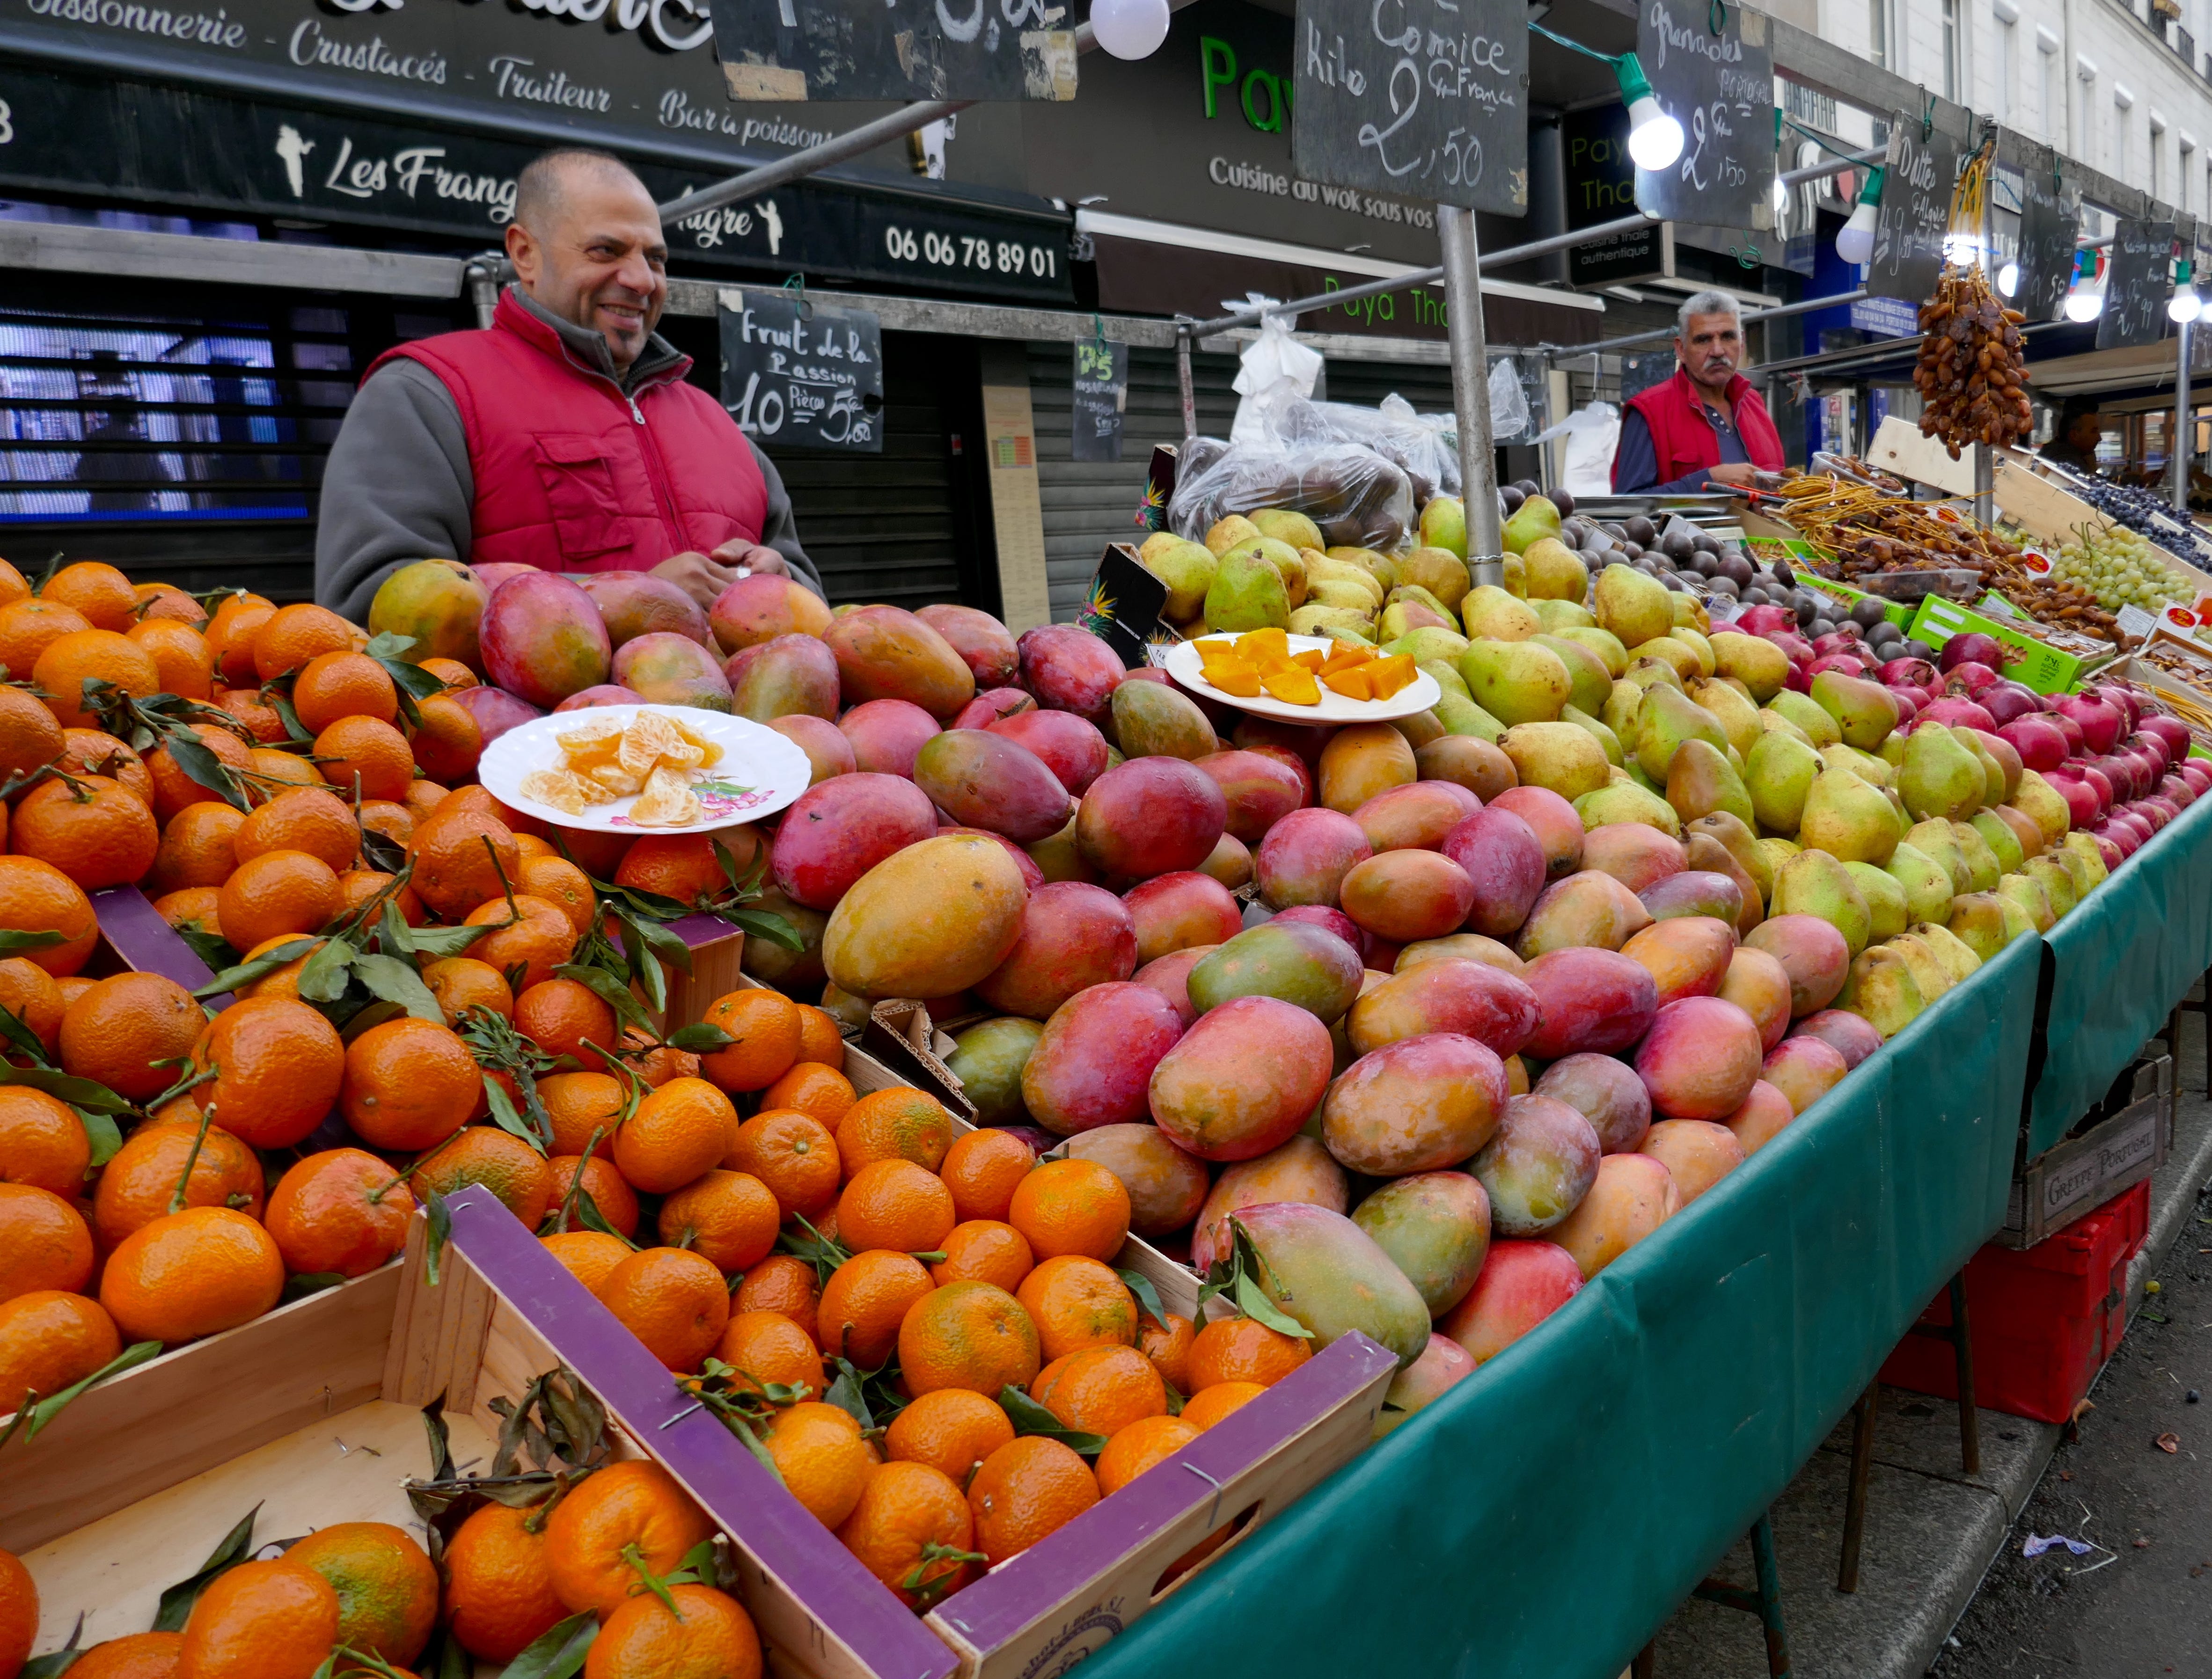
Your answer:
<point x="2045" y="1317"/>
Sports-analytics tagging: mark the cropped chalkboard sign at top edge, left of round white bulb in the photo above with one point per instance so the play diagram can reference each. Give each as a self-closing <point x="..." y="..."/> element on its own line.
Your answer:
<point x="864" y="50"/>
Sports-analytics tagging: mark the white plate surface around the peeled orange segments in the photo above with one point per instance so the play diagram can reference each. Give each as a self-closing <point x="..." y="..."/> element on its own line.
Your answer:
<point x="753" y="755"/>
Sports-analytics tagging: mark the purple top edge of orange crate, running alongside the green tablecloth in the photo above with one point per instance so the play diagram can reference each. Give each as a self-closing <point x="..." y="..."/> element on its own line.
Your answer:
<point x="1010" y="1598"/>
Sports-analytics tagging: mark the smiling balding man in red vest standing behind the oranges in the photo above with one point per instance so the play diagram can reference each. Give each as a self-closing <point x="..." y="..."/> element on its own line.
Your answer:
<point x="563" y="437"/>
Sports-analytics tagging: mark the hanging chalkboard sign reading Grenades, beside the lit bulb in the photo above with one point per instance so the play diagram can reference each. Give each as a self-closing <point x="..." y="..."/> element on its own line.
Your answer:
<point x="1720" y="87"/>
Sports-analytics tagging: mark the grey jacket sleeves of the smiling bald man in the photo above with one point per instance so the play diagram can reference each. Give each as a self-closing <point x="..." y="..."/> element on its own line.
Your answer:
<point x="397" y="488"/>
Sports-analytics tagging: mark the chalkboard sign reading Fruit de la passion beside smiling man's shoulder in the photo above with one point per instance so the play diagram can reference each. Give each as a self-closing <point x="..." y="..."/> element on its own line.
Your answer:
<point x="800" y="375"/>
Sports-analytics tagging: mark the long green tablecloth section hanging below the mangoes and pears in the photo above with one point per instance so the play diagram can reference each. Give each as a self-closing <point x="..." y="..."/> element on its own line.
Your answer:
<point x="1552" y="1512"/>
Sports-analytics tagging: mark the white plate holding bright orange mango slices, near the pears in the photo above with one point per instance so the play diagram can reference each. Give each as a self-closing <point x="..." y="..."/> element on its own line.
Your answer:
<point x="1302" y="678"/>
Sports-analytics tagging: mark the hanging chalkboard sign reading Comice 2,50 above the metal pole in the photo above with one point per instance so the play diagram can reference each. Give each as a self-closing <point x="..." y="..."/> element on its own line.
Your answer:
<point x="1421" y="98"/>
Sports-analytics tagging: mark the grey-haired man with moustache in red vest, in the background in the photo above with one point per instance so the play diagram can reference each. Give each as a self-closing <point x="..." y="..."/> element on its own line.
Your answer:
<point x="1707" y="426"/>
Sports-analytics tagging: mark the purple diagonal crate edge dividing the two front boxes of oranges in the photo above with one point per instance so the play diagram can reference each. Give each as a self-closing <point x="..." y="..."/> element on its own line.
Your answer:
<point x="698" y="1448"/>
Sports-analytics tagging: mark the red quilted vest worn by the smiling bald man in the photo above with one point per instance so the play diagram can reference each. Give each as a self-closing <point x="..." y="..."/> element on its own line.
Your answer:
<point x="576" y="477"/>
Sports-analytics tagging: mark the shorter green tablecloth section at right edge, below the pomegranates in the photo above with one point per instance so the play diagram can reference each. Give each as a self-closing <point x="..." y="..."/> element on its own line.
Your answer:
<point x="2118" y="968"/>
